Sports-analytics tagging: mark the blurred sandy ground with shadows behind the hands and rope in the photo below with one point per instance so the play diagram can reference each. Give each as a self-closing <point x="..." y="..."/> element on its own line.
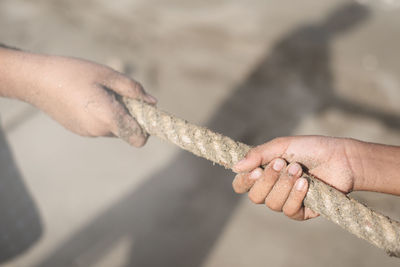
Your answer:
<point x="250" y="70"/>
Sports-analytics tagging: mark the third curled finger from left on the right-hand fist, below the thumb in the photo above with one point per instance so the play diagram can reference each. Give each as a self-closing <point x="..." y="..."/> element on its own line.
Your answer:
<point x="281" y="190"/>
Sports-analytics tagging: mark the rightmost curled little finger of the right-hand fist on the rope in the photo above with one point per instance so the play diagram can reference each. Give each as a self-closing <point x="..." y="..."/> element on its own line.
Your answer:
<point x="294" y="203"/>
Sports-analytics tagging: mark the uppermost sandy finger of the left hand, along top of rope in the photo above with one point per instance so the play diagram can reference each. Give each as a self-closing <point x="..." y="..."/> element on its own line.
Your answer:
<point x="128" y="87"/>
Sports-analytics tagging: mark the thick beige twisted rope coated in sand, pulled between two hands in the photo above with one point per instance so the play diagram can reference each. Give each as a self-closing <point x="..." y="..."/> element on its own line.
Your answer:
<point x="351" y="215"/>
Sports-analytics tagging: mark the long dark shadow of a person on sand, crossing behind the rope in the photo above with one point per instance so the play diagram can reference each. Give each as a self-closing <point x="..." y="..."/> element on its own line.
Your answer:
<point x="178" y="213"/>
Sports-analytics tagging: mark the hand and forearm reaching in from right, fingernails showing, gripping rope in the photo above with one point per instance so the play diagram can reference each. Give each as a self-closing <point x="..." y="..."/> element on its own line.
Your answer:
<point x="345" y="164"/>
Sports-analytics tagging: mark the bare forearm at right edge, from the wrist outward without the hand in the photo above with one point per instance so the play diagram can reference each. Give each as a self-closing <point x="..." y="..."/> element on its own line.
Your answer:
<point x="376" y="167"/>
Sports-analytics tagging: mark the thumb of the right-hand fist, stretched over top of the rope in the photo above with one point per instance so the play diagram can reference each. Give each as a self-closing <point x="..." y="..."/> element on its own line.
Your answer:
<point x="262" y="154"/>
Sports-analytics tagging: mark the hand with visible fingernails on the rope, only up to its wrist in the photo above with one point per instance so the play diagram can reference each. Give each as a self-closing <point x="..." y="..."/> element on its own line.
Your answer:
<point x="279" y="185"/>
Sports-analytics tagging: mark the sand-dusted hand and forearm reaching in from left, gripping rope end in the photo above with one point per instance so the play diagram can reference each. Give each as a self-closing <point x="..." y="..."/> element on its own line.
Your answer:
<point x="81" y="95"/>
